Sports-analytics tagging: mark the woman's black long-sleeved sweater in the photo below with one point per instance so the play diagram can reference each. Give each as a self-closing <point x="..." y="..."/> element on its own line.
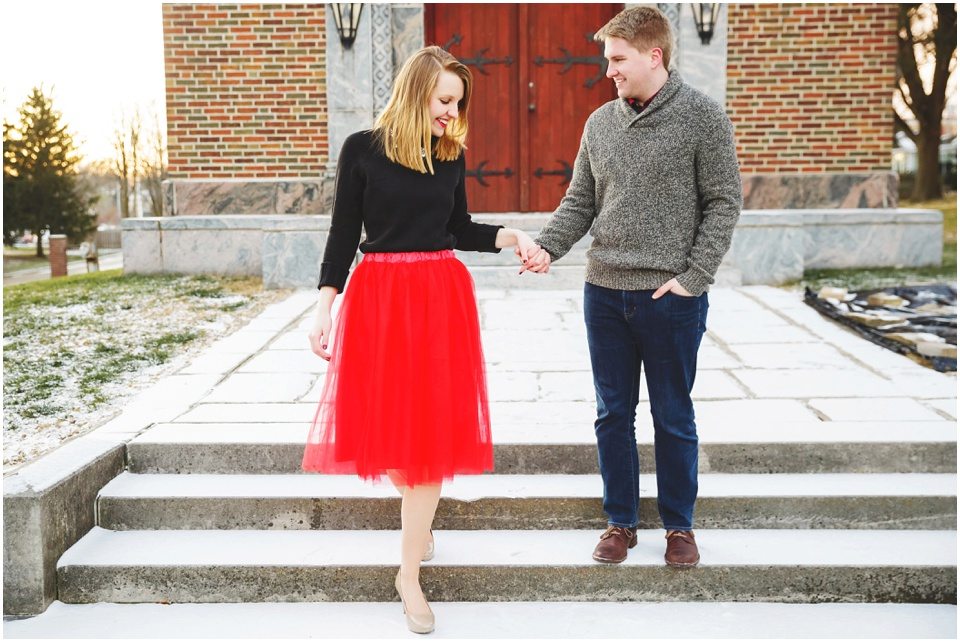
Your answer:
<point x="401" y="209"/>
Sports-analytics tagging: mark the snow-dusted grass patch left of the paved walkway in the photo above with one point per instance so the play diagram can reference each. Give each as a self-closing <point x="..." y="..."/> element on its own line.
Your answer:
<point x="76" y="346"/>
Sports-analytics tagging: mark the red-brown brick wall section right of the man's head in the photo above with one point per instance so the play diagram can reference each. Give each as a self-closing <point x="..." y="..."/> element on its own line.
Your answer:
<point x="809" y="86"/>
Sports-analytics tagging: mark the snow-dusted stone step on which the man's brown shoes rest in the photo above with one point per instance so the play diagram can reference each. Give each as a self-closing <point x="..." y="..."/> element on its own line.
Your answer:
<point x="552" y="565"/>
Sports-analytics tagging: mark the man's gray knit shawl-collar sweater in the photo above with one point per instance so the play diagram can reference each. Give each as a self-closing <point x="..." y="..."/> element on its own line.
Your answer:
<point x="659" y="191"/>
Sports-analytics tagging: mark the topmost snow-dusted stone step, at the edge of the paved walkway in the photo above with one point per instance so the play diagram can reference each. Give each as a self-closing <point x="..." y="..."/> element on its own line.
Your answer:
<point x="750" y="446"/>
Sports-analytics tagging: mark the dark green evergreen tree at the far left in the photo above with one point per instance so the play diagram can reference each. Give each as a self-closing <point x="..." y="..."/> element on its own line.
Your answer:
<point x="40" y="188"/>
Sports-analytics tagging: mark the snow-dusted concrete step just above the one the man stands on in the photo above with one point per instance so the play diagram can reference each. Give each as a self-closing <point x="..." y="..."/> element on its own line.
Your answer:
<point x="340" y="502"/>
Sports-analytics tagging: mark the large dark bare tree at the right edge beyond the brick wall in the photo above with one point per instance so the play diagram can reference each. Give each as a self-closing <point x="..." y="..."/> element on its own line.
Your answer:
<point x="926" y="36"/>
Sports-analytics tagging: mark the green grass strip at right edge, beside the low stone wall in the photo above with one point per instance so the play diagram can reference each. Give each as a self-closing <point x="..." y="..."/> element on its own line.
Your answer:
<point x="871" y="278"/>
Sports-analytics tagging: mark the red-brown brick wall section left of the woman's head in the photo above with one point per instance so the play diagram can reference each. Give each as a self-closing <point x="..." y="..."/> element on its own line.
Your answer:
<point x="246" y="90"/>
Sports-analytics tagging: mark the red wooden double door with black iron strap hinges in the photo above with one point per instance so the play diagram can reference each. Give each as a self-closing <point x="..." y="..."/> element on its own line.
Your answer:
<point x="537" y="76"/>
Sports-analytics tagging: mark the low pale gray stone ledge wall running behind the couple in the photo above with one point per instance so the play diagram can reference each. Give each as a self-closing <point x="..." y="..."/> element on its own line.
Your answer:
<point x="768" y="247"/>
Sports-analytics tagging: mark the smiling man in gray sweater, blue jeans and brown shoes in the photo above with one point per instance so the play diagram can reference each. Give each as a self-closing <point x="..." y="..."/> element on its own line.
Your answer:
<point x="656" y="181"/>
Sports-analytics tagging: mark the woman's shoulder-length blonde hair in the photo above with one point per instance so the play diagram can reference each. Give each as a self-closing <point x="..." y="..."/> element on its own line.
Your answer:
<point x="404" y="126"/>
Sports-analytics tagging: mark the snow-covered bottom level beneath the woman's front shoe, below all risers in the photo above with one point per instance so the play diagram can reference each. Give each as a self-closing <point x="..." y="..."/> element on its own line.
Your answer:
<point x="492" y="620"/>
